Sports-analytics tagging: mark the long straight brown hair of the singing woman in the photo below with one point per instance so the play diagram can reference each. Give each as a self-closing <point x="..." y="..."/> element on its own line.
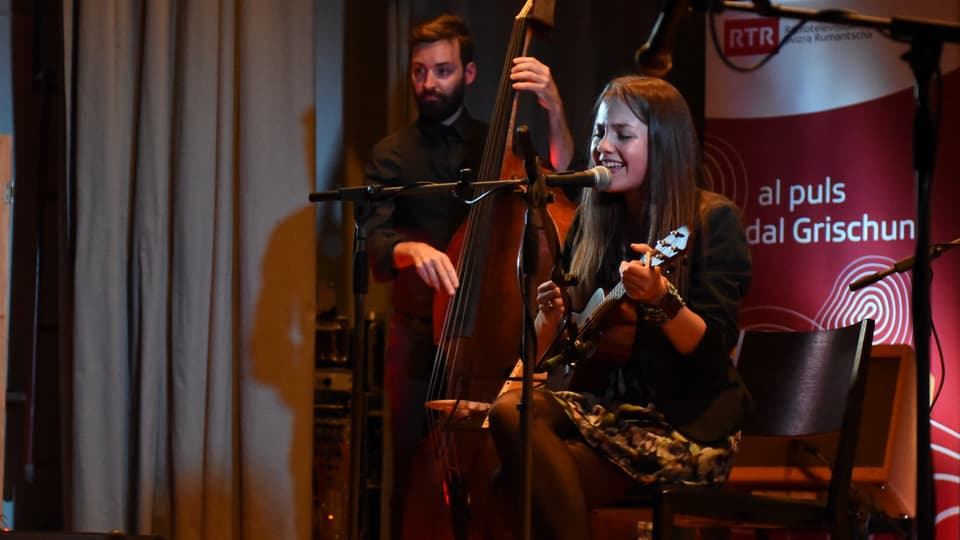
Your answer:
<point x="674" y="172"/>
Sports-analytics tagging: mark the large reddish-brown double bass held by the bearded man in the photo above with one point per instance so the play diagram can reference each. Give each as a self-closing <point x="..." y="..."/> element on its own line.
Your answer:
<point x="478" y="330"/>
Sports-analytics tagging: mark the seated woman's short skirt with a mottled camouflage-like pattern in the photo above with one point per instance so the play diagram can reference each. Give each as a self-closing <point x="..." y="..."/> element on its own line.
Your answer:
<point x="640" y="441"/>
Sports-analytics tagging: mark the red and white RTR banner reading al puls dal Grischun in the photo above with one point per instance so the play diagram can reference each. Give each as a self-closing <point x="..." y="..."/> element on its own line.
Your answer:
<point x="816" y="147"/>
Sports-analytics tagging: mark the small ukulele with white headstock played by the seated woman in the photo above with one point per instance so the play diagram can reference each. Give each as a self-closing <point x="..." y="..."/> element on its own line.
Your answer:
<point x="602" y="326"/>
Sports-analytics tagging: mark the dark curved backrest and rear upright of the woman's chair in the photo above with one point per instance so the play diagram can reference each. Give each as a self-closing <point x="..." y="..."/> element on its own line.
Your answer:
<point x="809" y="386"/>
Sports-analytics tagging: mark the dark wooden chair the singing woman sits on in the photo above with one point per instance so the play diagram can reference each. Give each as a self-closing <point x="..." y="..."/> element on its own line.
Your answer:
<point x="808" y="388"/>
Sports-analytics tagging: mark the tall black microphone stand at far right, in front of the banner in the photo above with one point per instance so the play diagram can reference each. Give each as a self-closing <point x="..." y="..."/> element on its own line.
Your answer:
<point x="926" y="40"/>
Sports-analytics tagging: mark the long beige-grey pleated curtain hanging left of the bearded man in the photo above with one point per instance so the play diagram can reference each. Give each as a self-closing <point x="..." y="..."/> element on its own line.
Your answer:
<point x="194" y="268"/>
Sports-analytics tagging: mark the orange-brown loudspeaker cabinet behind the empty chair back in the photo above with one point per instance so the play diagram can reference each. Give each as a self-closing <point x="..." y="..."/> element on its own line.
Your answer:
<point x="885" y="470"/>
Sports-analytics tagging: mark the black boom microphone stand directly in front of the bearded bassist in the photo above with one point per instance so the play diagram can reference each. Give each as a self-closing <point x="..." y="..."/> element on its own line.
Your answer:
<point x="364" y="198"/>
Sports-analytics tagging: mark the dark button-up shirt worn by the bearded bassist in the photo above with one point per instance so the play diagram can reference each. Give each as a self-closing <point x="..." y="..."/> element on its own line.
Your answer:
<point x="420" y="151"/>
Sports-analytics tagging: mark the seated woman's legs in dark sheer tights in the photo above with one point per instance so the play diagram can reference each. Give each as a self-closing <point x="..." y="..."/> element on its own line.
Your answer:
<point x="569" y="477"/>
